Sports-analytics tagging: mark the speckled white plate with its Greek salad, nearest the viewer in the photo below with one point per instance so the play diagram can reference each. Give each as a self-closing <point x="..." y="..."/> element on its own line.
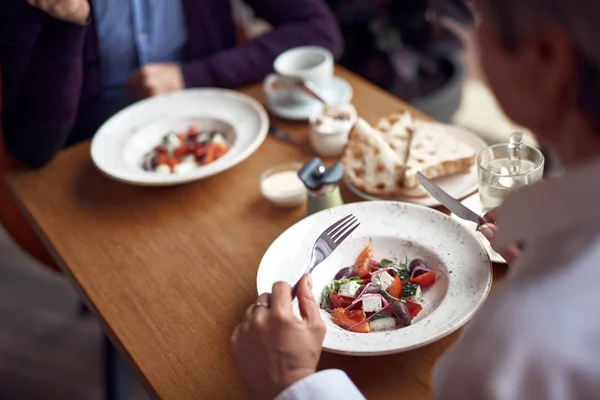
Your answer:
<point x="408" y="276"/>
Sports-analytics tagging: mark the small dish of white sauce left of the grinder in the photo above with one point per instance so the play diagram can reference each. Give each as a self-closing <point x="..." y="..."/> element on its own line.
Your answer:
<point x="282" y="187"/>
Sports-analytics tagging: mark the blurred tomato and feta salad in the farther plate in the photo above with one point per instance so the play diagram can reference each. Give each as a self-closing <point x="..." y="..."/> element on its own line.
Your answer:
<point x="182" y="152"/>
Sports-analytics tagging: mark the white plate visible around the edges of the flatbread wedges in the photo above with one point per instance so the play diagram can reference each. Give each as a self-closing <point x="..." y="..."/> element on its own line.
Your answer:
<point x="458" y="186"/>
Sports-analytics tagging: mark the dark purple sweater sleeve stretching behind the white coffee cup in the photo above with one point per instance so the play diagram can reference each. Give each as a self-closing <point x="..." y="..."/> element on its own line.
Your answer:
<point x="295" y="23"/>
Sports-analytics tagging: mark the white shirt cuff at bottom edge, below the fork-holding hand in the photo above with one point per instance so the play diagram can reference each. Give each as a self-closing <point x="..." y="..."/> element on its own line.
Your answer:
<point x="329" y="384"/>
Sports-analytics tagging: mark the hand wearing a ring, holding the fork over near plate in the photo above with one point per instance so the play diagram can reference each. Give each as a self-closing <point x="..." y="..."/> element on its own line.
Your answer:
<point x="271" y="348"/>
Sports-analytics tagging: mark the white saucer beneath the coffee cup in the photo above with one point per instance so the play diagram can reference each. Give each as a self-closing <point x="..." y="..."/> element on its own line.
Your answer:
<point x="300" y="109"/>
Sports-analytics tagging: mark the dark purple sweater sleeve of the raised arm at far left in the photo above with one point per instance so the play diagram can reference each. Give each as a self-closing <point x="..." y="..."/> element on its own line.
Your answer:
<point x="41" y="65"/>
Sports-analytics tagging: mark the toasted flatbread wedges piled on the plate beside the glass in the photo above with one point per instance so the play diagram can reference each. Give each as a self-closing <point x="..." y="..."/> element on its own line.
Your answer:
<point x="384" y="160"/>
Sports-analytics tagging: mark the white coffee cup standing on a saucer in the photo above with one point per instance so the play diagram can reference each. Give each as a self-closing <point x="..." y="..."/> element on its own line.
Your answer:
<point x="309" y="62"/>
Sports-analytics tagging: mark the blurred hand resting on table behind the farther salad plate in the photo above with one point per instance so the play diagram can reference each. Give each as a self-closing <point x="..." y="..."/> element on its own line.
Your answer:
<point x="154" y="79"/>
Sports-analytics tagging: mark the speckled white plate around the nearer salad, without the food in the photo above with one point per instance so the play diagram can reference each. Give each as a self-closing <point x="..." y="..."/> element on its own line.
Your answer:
<point x="396" y="230"/>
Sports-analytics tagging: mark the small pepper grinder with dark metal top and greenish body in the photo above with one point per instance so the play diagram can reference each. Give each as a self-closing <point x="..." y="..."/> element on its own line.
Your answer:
<point x="322" y="184"/>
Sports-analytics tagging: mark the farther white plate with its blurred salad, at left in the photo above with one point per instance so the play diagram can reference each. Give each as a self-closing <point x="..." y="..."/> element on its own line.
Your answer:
<point x="179" y="137"/>
